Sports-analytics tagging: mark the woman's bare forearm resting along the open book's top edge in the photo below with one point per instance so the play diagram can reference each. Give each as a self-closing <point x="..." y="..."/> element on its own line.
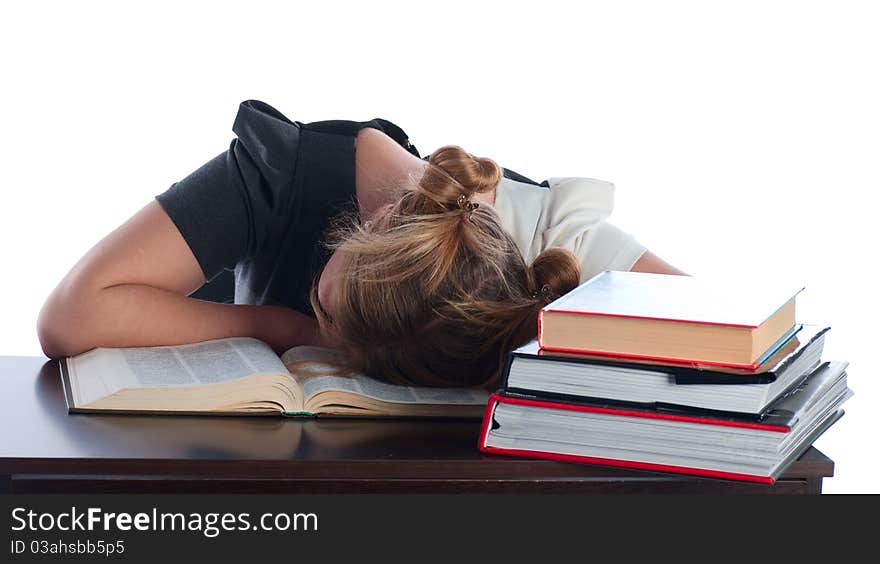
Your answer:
<point x="134" y="315"/>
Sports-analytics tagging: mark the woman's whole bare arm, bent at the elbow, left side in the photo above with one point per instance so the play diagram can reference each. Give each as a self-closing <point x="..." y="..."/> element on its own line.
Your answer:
<point x="131" y="289"/>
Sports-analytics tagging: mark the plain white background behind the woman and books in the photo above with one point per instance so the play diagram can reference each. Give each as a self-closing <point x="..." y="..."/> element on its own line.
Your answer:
<point x="743" y="137"/>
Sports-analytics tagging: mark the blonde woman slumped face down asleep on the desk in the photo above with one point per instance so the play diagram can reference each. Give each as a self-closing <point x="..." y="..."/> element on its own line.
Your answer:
<point x="341" y="236"/>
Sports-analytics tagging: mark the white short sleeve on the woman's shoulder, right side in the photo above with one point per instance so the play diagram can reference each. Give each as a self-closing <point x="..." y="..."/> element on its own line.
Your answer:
<point x="576" y="220"/>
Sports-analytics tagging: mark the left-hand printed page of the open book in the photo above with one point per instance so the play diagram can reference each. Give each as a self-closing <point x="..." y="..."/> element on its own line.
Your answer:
<point x="103" y="371"/>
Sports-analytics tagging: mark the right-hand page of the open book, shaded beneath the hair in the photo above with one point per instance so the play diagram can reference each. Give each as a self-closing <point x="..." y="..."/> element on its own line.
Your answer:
<point x="319" y="369"/>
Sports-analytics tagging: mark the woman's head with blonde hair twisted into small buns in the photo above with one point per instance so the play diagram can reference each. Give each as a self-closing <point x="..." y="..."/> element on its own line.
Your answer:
<point x="433" y="291"/>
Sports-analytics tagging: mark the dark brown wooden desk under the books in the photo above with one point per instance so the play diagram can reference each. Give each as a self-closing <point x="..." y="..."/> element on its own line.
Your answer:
<point x="44" y="449"/>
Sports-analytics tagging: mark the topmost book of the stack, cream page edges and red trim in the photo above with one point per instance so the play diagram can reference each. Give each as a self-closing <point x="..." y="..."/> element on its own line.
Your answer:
<point x="729" y="322"/>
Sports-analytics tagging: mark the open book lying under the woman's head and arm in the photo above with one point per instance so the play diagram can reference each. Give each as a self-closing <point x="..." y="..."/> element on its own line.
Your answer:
<point x="244" y="376"/>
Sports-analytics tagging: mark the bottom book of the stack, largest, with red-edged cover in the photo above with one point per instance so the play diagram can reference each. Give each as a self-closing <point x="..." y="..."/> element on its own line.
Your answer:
<point x="699" y="442"/>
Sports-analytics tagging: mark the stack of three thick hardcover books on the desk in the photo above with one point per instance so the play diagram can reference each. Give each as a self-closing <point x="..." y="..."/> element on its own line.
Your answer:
<point x="669" y="373"/>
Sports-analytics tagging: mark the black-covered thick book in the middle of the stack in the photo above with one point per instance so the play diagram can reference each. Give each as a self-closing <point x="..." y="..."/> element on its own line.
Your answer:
<point x="572" y="376"/>
